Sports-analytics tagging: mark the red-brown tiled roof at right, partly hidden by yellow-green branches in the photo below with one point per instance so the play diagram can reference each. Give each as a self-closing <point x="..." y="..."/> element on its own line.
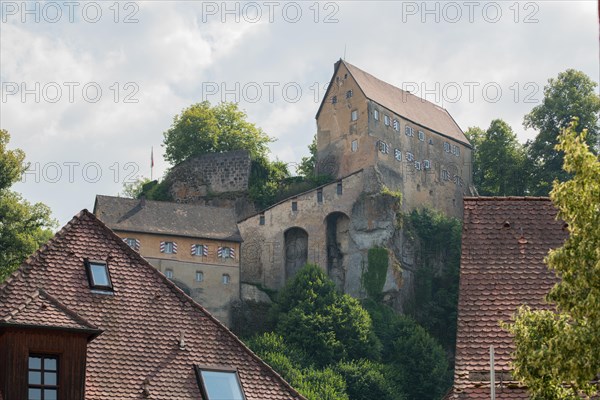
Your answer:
<point x="505" y="240"/>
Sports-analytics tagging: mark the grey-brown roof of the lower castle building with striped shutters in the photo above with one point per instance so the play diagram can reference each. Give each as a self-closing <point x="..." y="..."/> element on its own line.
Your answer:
<point x="167" y="218"/>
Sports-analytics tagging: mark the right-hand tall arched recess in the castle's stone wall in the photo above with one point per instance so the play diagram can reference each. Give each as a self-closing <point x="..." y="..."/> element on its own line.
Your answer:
<point x="337" y="238"/>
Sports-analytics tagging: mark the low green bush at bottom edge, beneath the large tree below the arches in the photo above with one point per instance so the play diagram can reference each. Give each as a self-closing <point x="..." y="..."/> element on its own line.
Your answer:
<point x="367" y="380"/>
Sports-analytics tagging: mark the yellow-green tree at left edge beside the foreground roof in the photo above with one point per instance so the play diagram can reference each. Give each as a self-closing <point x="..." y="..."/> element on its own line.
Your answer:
<point x="23" y="226"/>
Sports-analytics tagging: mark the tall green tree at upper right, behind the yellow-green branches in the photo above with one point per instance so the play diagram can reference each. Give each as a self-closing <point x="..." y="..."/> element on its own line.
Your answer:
<point x="570" y="95"/>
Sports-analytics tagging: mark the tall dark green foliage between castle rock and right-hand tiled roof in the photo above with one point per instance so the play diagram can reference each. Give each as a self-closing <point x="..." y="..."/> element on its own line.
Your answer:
<point x="436" y="280"/>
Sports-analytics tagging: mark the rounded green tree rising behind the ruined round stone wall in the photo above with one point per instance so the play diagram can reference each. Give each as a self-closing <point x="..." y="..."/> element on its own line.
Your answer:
<point x="202" y="128"/>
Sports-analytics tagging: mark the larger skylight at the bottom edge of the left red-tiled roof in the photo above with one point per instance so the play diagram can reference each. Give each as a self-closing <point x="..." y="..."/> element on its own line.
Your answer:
<point x="220" y="385"/>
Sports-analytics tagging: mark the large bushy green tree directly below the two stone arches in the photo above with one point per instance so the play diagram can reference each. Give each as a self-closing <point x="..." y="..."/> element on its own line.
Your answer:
<point x="313" y="316"/>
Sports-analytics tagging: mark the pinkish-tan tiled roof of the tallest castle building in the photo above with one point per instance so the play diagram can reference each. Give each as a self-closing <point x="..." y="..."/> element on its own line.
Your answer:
<point x="406" y="105"/>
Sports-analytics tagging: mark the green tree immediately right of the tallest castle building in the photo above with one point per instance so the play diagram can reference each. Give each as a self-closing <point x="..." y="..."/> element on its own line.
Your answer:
<point x="498" y="160"/>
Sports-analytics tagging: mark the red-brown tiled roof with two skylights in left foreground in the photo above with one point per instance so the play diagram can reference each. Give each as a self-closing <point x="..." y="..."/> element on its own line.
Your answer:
<point x="141" y="321"/>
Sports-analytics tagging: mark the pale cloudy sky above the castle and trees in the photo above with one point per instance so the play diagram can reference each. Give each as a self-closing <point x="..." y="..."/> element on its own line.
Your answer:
<point x="88" y="88"/>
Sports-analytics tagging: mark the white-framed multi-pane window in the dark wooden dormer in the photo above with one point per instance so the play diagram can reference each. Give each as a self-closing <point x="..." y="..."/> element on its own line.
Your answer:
<point x="42" y="380"/>
